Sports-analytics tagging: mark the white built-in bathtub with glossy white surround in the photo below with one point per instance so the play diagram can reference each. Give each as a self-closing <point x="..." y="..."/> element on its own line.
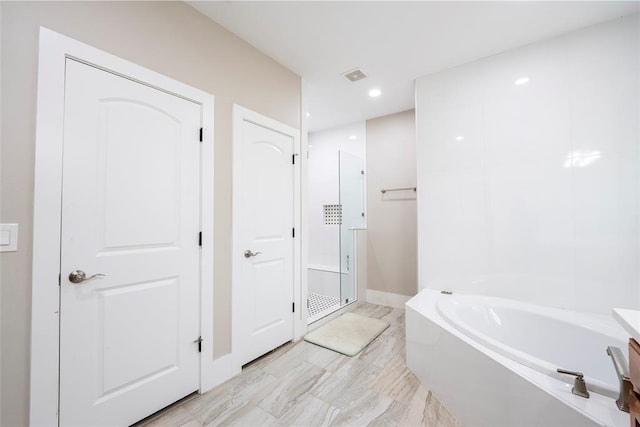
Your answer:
<point x="492" y="361"/>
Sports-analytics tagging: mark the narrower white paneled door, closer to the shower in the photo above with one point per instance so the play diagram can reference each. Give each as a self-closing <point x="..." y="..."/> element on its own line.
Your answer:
<point x="263" y="294"/>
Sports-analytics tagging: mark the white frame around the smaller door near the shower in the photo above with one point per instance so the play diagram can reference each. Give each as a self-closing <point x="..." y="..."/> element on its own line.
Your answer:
<point x="241" y="114"/>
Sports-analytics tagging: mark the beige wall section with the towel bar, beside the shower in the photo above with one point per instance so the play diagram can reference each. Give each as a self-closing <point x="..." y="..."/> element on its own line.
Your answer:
<point x="391" y="223"/>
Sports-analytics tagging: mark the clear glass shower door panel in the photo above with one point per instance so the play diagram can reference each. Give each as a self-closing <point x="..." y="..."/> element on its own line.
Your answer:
<point x="351" y="183"/>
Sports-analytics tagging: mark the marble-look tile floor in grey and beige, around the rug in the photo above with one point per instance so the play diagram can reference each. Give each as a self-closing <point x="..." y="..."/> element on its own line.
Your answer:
<point x="301" y="384"/>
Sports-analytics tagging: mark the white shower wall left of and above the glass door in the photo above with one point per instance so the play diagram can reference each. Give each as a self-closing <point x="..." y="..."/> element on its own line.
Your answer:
<point x="322" y="188"/>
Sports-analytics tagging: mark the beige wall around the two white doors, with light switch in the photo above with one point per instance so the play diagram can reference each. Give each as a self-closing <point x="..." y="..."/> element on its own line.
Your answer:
<point x="168" y="37"/>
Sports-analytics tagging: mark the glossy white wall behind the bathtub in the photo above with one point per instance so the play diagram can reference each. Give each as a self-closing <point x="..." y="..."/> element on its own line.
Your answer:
<point x="539" y="201"/>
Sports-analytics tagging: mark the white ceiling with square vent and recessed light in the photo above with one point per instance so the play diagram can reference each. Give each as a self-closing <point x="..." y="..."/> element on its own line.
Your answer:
<point x="393" y="42"/>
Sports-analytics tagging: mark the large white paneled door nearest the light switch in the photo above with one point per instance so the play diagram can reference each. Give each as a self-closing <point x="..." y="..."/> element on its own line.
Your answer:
<point x="130" y="216"/>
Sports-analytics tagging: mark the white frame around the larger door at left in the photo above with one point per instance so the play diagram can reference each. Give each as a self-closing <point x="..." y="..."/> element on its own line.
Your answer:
<point x="45" y="331"/>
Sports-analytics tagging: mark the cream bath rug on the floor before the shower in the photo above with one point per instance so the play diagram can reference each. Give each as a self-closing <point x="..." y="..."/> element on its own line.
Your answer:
<point x="347" y="334"/>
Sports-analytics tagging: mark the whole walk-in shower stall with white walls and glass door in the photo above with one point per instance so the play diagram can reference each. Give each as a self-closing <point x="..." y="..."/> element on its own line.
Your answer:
<point x="336" y="200"/>
